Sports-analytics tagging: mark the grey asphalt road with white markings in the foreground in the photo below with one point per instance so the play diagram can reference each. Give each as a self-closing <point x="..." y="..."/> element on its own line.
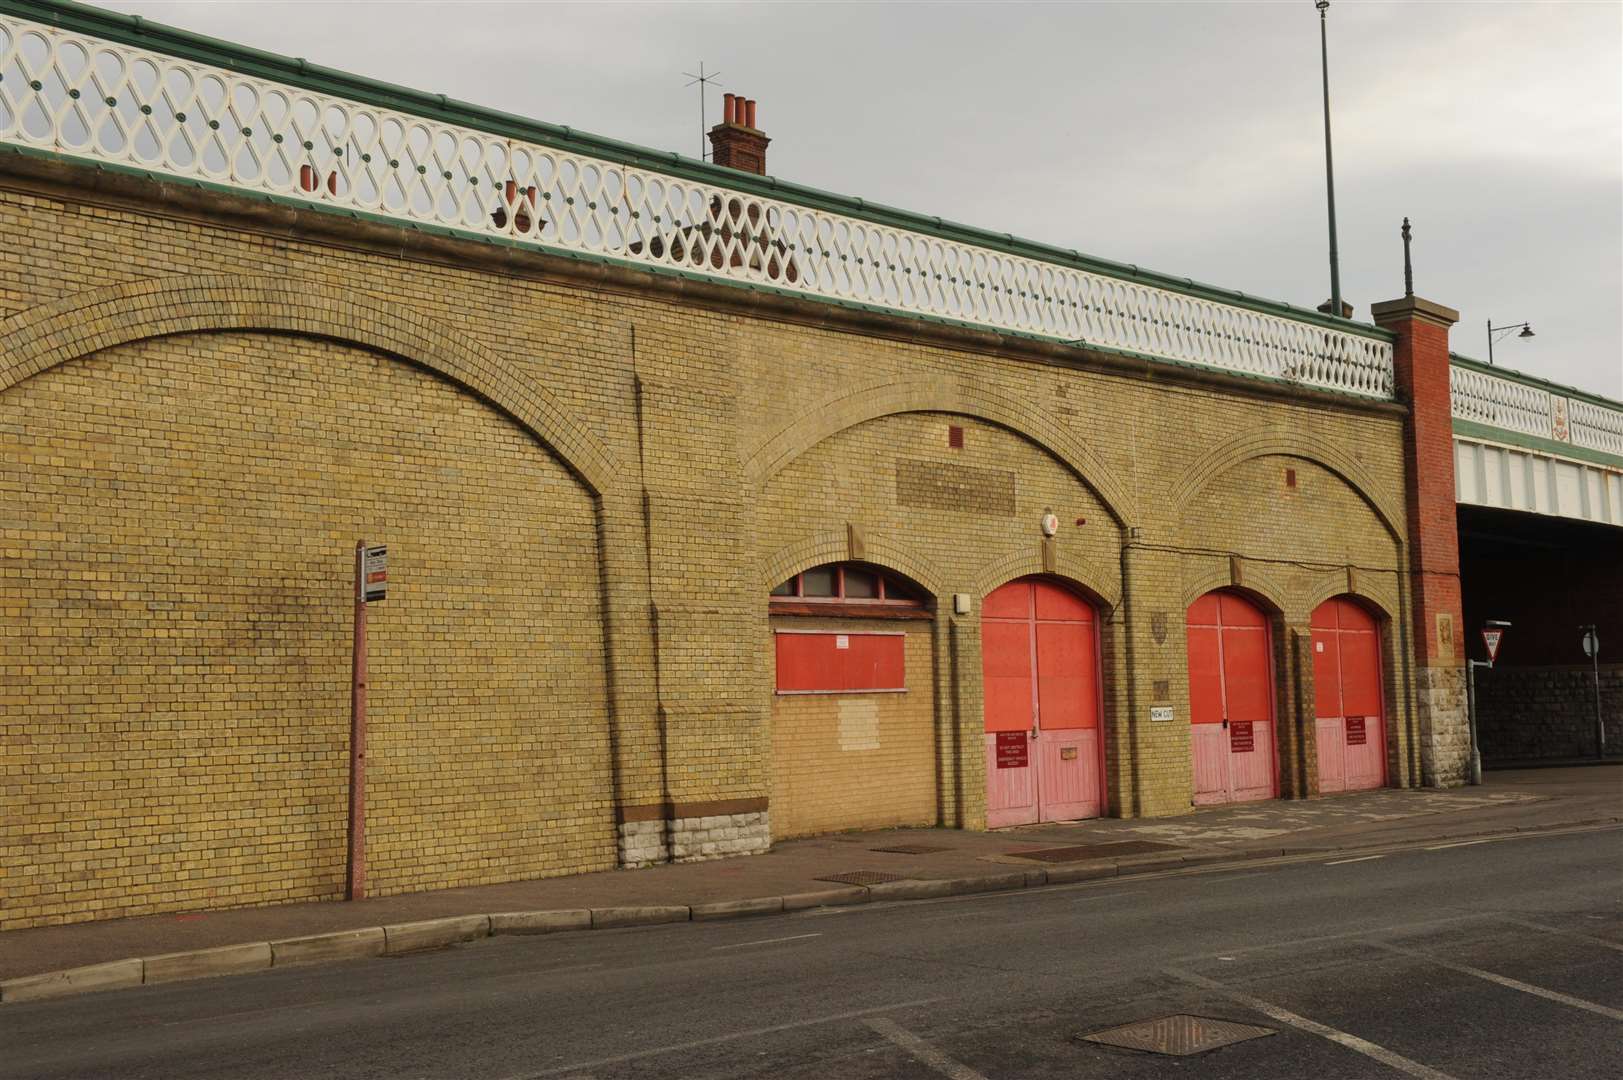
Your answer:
<point x="1500" y="959"/>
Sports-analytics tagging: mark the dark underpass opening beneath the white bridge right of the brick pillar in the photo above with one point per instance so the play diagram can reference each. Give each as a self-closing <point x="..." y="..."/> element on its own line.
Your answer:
<point x="1548" y="577"/>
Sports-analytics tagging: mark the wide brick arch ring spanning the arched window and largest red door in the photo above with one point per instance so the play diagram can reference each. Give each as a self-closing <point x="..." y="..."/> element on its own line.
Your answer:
<point x="882" y="399"/>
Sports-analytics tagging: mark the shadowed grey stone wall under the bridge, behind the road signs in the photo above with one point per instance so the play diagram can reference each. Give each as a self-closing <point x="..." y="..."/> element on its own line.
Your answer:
<point x="1548" y="714"/>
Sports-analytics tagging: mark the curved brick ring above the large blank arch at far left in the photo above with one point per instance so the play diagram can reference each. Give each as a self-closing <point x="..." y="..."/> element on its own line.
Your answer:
<point x="100" y="319"/>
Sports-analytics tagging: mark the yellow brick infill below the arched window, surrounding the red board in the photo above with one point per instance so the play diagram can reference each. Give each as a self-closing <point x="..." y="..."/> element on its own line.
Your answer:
<point x="856" y="761"/>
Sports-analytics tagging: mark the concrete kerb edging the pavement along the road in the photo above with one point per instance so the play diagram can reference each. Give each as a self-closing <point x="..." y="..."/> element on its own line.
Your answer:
<point x="410" y="938"/>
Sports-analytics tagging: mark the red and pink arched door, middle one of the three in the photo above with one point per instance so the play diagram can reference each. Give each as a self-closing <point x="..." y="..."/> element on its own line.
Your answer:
<point x="1231" y="701"/>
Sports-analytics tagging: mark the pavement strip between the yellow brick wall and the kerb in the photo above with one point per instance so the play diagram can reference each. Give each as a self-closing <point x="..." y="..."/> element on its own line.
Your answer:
<point x="1510" y="801"/>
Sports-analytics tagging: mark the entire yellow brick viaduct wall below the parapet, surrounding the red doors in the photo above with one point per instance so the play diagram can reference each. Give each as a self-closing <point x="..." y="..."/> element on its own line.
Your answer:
<point x="616" y="477"/>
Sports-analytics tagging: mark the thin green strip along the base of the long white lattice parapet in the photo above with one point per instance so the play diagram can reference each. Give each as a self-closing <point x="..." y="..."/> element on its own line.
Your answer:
<point x="660" y="272"/>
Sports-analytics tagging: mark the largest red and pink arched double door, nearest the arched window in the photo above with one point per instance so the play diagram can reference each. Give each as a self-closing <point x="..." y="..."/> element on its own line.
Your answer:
<point x="1040" y="654"/>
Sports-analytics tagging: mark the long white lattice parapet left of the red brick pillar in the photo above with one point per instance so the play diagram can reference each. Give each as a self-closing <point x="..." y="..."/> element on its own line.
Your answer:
<point x="137" y="106"/>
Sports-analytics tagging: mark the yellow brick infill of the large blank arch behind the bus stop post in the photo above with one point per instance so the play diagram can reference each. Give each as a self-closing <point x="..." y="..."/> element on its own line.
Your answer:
<point x="179" y="527"/>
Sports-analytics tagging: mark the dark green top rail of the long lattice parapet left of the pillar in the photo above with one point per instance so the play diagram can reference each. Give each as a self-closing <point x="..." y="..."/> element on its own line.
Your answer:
<point x="134" y="30"/>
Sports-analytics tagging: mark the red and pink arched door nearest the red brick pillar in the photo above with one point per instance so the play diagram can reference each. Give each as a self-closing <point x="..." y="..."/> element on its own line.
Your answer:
<point x="1348" y="698"/>
